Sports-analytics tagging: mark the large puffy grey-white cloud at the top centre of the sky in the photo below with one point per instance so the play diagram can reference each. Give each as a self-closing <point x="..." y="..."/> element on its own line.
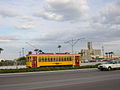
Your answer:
<point x="68" y="10"/>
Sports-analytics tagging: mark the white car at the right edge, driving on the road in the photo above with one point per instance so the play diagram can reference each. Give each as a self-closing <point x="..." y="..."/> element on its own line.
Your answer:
<point x="109" y="65"/>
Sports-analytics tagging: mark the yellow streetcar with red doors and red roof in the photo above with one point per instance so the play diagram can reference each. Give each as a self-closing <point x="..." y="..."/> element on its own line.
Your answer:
<point x="51" y="59"/>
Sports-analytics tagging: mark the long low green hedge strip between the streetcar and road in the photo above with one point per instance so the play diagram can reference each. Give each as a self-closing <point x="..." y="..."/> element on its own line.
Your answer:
<point x="45" y="69"/>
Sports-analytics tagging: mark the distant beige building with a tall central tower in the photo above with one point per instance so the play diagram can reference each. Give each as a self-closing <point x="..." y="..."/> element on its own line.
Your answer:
<point x="87" y="54"/>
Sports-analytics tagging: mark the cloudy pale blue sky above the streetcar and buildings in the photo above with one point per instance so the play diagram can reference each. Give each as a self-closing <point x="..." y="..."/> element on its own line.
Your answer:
<point x="48" y="23"/>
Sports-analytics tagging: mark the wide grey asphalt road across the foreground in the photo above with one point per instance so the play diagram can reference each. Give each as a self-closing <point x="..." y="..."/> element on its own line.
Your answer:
<point x="88" y="79"/>
